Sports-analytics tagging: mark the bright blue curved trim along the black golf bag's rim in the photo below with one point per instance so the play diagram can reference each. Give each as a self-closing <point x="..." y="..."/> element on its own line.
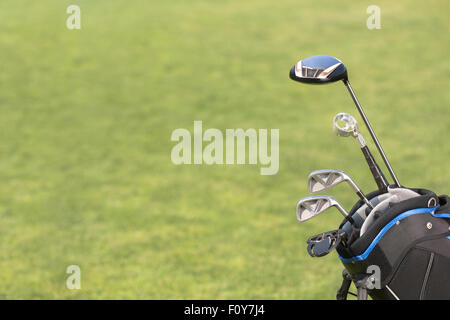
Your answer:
<point x="400" y="217"/>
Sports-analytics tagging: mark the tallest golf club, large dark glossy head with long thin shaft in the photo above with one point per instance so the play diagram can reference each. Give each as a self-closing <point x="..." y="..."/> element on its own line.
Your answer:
<point x="321" y="69"/>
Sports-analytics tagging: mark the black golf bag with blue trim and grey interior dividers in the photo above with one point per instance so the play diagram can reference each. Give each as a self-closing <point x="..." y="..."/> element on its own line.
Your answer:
<point x="403" y="254"/>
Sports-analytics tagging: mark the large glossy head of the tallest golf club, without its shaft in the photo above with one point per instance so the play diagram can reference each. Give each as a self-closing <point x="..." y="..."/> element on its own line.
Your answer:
<point x="318" y="69"/>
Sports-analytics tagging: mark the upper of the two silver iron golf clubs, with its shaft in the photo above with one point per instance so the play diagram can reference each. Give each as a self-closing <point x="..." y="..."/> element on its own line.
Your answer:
<point x="320" y="180"/>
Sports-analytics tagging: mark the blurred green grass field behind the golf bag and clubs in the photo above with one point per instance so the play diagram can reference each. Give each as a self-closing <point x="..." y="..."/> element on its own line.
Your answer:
<point x="86" y="119"/>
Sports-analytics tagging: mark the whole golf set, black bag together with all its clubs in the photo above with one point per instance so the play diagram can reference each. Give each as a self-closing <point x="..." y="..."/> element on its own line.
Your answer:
<point x="404" y="233"/>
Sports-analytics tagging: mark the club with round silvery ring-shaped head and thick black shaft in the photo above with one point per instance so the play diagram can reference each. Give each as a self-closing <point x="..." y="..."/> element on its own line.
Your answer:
<point x="345" y="125"/>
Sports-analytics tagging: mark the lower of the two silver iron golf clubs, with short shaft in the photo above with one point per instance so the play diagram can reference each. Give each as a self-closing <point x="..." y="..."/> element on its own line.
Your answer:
<point x="310" y="207"/>
